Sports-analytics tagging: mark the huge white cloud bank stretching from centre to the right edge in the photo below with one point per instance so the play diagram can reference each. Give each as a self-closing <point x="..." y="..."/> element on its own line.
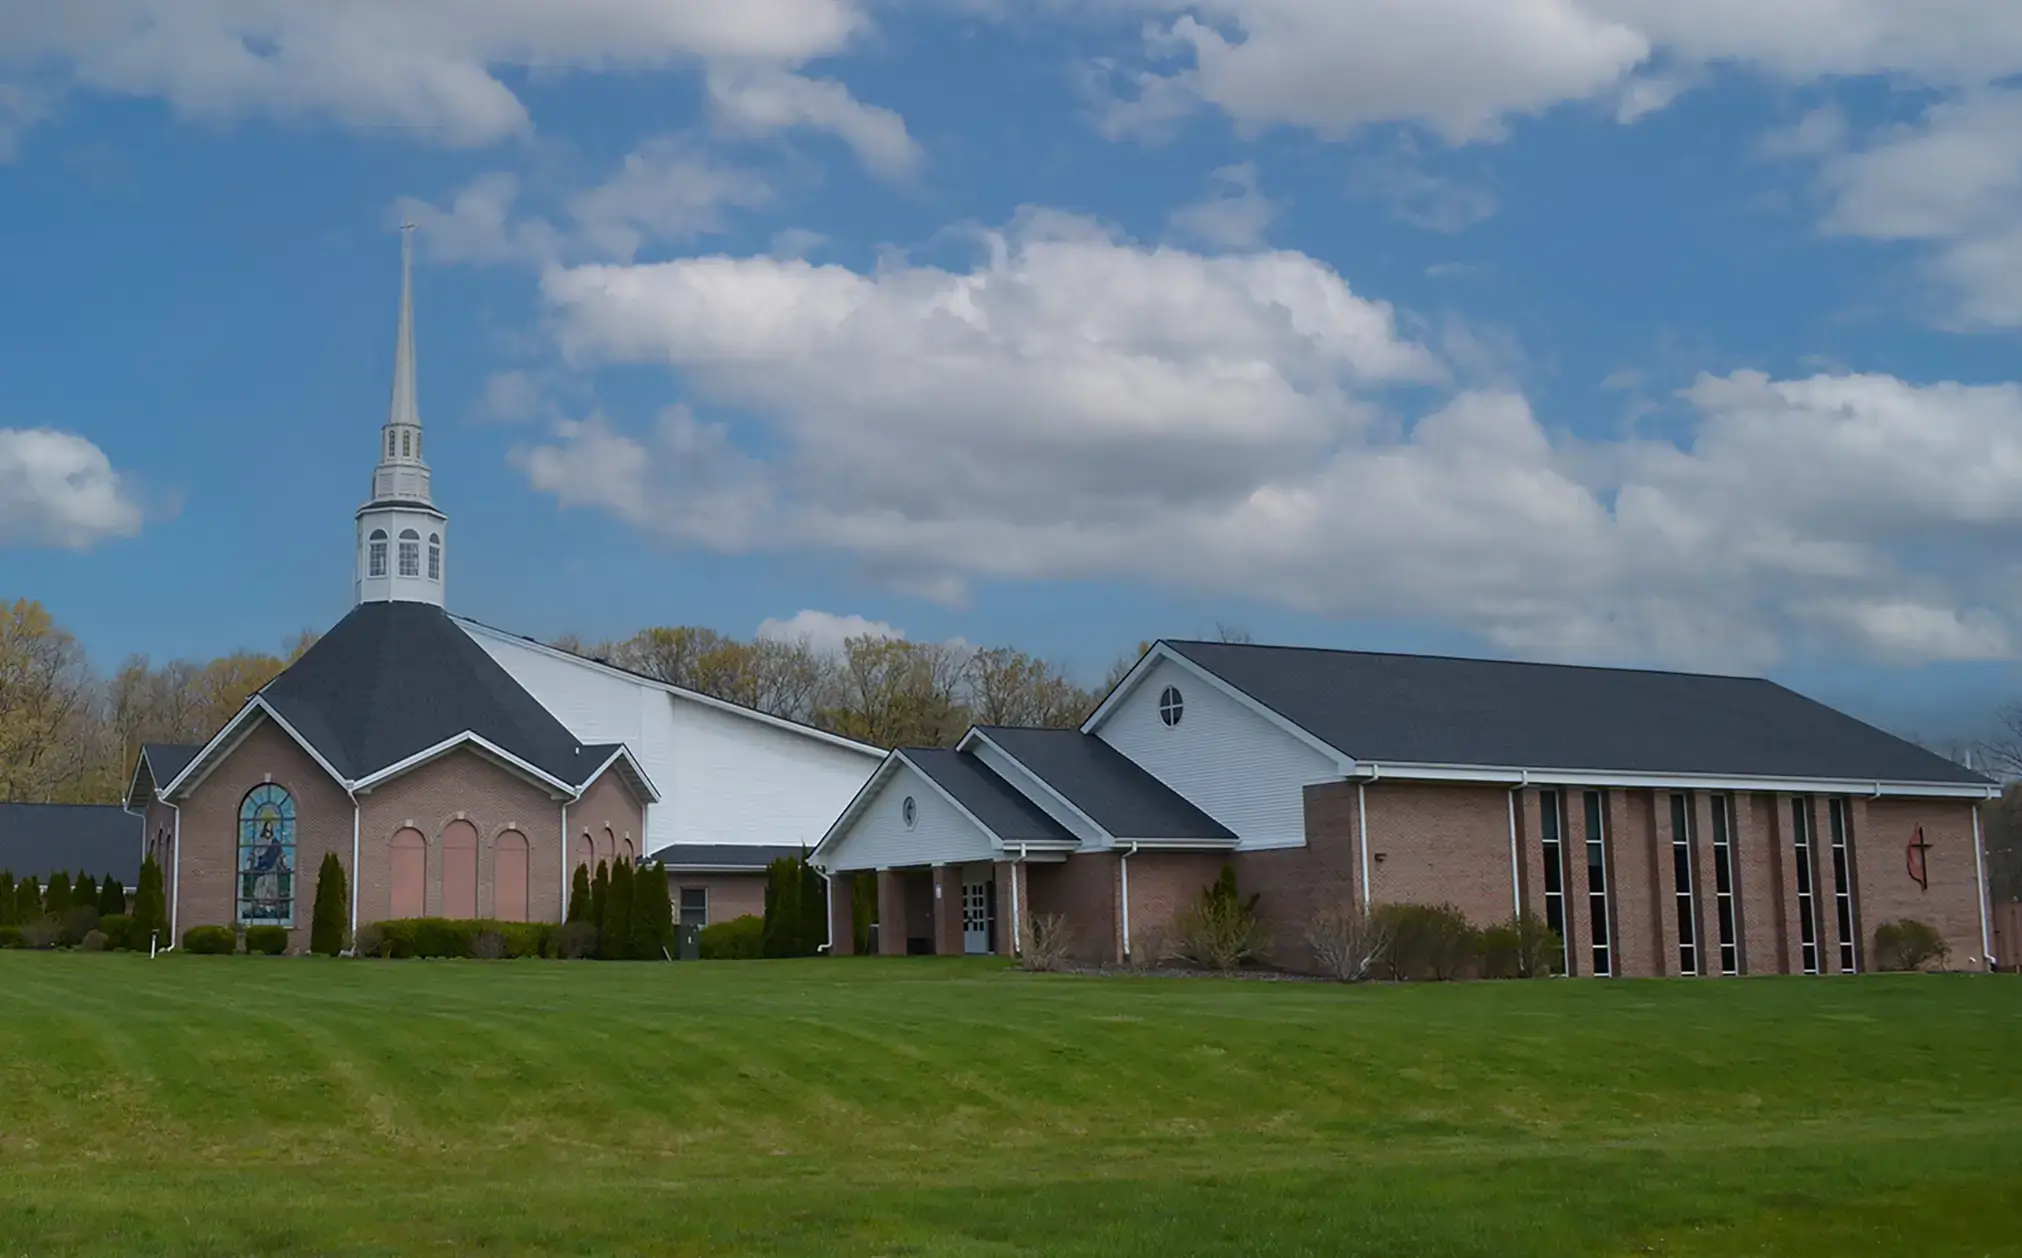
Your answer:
<point x="1085" y="408"/>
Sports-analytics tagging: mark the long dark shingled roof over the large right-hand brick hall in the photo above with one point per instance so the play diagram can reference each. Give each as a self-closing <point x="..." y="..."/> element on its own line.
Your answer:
<point x="1443" y="711"/>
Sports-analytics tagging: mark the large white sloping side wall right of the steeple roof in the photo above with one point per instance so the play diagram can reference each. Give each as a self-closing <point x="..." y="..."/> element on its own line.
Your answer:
<point x="725" y="778"/>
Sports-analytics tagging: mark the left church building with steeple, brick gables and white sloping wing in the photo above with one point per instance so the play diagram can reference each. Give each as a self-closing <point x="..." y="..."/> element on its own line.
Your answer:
<point x="464" y="772"/>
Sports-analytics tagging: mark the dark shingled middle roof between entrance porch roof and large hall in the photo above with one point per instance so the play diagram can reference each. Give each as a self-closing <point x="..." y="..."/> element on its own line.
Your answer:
<point x="1107" y="786"/>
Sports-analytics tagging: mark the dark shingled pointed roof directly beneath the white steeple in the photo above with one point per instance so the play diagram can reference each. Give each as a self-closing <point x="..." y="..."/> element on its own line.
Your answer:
<point x="397" y="679"/>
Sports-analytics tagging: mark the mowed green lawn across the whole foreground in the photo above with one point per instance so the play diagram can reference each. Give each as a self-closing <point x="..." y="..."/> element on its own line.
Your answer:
<point x="945" y="1107"/>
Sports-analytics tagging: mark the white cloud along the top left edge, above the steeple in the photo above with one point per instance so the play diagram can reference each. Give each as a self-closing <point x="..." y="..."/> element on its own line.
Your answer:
<point x="438" y="70"/>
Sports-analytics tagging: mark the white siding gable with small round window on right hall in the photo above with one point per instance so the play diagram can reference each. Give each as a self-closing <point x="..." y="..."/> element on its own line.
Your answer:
<point x="1226" y="759"/>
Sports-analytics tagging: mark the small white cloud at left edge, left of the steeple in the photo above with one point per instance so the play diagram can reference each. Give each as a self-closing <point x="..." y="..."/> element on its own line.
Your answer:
<point x="62" y="490"/>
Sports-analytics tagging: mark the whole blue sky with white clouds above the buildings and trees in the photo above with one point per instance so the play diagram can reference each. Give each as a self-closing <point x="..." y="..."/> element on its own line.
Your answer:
<point x="1596" y="331"/>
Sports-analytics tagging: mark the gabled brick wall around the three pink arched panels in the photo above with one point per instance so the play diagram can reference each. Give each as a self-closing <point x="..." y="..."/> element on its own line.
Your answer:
<point x="460" y="788"/>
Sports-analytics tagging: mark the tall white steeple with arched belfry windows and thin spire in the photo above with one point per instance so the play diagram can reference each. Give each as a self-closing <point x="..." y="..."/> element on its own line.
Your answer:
<point x="399" y="531"/>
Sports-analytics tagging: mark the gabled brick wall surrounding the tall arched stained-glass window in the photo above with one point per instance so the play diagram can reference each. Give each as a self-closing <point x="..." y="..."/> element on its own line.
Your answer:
<point x="209" y="859"/>
